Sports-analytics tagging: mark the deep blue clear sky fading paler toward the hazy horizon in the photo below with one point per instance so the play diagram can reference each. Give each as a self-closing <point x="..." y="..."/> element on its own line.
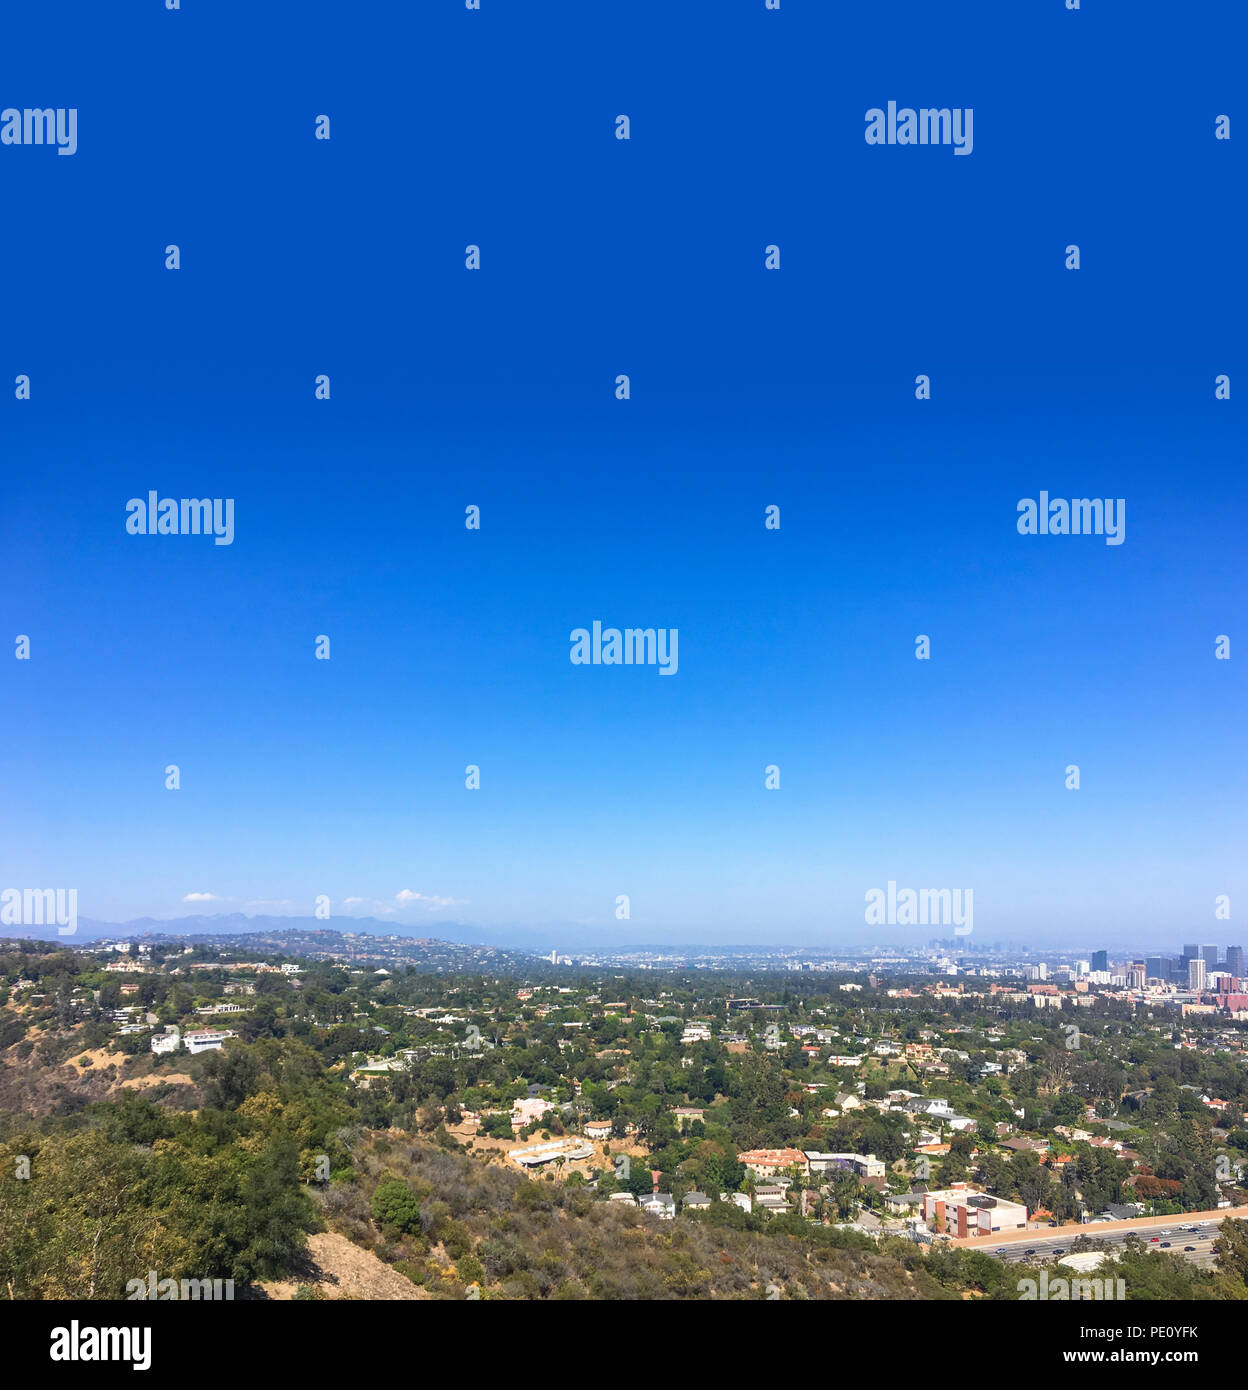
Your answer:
<point x="497" y="389"/>
